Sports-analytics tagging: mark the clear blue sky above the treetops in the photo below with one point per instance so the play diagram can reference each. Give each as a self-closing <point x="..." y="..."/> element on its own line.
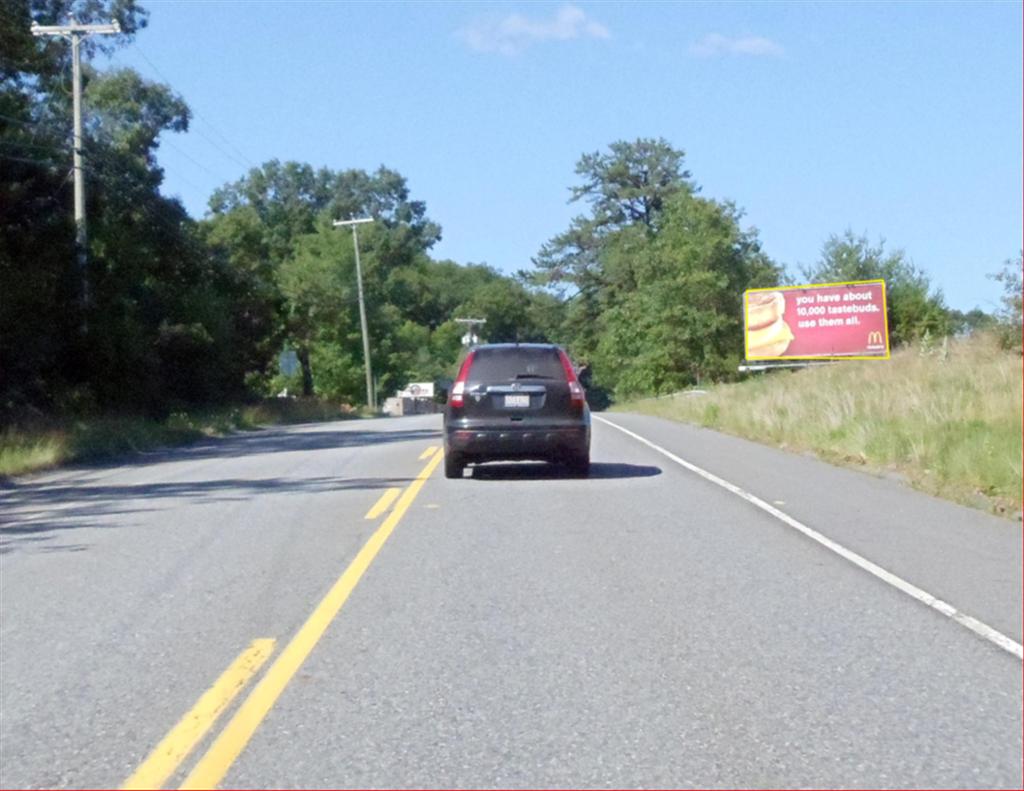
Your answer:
<point x="899" y="120"/>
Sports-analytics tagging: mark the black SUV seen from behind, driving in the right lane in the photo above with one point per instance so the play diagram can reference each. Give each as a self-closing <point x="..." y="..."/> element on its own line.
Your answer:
<point x="517" y="402"/>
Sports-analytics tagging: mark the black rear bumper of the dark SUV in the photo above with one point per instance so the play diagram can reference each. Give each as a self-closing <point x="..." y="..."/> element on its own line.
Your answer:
<point x="483" y="444"/>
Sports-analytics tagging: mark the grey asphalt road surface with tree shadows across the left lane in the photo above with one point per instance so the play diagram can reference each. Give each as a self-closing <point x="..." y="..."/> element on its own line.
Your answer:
<point x="644" y="628"/>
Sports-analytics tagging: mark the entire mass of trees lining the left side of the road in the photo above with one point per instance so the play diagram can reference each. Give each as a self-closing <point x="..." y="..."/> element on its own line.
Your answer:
<point x="184" y="312"/>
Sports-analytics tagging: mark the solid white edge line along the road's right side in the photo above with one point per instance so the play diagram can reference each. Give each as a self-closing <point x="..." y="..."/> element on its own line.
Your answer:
<point x="979" y="629"/>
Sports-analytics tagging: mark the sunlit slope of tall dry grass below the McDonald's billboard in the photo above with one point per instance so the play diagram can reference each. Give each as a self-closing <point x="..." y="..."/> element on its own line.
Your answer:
<point x="947" y="419"/>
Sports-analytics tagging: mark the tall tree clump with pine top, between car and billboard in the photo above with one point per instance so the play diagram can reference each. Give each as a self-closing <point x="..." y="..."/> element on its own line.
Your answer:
<point x="656" y="273"/>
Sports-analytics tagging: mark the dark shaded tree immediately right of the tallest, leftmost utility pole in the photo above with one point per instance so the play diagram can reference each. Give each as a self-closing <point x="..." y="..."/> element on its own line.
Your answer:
<point x="167" y="310"/>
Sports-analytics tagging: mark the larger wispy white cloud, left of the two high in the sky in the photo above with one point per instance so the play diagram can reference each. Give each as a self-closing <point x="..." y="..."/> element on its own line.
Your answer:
<point x="510" y="35"/>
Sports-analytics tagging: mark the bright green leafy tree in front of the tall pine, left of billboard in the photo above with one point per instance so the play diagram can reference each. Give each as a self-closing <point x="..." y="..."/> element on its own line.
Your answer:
<point x="682" y="323"/>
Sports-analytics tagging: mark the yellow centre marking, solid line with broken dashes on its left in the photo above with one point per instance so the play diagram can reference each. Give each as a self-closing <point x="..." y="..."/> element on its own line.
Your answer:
<point x="212" y="768"/>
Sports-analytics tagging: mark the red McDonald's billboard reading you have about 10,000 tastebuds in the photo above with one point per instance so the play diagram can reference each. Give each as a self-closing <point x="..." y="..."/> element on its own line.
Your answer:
<point x="826" y="321"/>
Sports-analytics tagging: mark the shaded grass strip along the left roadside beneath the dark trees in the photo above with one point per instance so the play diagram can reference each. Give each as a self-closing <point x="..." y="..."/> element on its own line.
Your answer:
<point x="45" y="443"/>
